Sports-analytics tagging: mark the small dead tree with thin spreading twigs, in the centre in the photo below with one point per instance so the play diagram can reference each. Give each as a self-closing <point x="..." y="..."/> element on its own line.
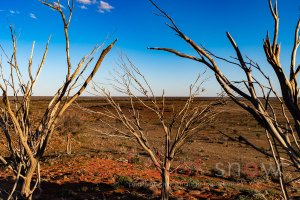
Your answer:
<point x="176" y="128"/>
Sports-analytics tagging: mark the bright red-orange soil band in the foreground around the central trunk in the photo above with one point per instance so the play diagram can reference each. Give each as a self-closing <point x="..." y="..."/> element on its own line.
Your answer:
<point x="92" y="177"/>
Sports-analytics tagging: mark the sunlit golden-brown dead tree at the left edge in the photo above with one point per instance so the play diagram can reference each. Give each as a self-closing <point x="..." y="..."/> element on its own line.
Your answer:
<point x="26" y="140"/>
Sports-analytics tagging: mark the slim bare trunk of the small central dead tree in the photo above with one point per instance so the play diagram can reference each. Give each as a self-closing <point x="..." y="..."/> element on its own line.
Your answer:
<point x="165" y="176"/>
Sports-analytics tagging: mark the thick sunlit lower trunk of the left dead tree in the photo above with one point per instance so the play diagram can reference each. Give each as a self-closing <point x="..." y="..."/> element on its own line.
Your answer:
<point x="26" y="190"/>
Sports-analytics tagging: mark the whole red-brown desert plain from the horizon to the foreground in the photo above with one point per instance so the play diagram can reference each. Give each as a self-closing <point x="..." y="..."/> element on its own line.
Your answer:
<point x="104" y="168"/>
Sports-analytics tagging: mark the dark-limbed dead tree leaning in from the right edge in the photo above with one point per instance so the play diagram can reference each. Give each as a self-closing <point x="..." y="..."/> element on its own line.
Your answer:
<point x="283" y="136"/>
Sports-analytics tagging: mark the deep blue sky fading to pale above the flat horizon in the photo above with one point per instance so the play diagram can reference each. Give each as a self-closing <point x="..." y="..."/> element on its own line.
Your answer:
<point x="136" y="27"/>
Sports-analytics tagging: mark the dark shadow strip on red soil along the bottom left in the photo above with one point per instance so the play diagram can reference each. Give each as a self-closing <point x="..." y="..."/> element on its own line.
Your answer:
<point x="80" y="190"/>
